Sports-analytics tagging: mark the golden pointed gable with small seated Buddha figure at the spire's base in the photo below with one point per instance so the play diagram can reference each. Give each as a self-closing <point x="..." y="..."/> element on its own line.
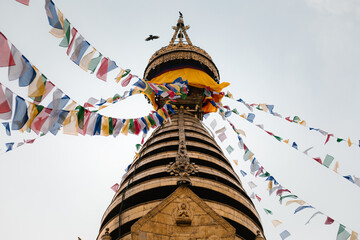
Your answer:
<point x="182" y="216"/>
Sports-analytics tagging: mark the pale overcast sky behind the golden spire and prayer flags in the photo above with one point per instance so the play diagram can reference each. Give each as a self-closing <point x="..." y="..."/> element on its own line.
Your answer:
<point x="301" y="56"/>
